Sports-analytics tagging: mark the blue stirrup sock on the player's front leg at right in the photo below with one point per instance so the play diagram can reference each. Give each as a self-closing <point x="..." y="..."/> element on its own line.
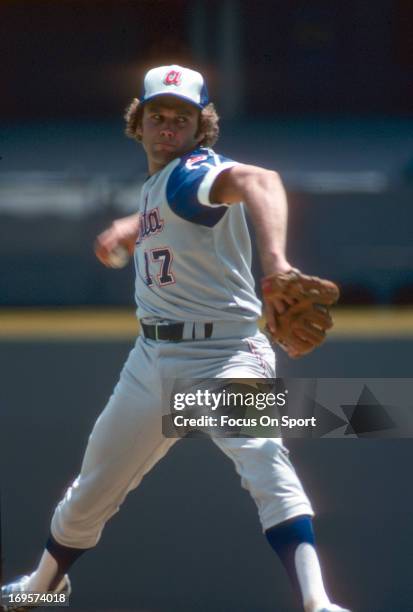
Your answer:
<point x="285" y="538"/>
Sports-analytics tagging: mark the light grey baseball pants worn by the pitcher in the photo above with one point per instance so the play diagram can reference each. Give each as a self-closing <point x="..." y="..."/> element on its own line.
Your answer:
<point x="127" y="440"/>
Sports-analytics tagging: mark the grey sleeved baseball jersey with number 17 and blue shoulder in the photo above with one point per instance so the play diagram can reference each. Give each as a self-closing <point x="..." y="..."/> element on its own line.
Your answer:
<point x="192" y="256"/>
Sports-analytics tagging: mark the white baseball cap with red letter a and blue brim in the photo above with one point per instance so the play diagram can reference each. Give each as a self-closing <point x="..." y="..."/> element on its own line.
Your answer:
<point x="178" y="81"/>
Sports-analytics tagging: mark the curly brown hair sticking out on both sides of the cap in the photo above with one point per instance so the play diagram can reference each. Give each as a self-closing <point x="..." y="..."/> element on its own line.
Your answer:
<point x="208" y="122"/>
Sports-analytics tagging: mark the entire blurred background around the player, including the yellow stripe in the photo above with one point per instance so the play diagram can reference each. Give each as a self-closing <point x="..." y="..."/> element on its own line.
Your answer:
<point x="319" y="90"/>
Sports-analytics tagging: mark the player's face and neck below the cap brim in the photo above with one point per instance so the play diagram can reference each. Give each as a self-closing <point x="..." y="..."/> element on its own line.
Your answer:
<point x="169" y="130"/>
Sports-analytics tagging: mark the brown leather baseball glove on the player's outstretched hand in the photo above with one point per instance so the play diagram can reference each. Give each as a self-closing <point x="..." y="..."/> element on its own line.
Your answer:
<point x="305" y="316"/>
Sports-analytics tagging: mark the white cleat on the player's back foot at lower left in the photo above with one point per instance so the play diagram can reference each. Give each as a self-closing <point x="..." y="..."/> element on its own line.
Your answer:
<point x="14" y="590"/>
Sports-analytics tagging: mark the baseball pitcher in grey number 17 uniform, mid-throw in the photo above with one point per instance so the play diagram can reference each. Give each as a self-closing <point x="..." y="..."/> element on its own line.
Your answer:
<point x="198" y="314"/>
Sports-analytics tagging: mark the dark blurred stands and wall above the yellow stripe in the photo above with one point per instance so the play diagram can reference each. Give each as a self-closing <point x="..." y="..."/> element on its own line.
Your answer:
<point x="321" y="91"/>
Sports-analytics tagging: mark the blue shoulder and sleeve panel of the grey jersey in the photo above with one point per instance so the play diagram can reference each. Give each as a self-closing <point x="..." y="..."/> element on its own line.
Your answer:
<point x="183" y="184"/>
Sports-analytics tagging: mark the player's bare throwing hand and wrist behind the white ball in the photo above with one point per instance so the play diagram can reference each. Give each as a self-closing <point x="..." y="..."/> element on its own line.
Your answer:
<point x="122" y="233"/>
